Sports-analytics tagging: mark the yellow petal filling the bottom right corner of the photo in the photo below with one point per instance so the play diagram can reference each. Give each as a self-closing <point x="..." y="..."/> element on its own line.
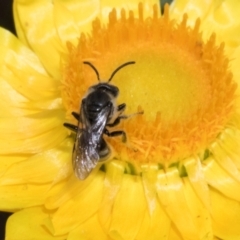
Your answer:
<point x="226" y="216"/>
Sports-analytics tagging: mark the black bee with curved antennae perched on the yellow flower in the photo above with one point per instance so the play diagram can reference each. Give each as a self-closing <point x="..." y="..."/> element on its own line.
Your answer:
<point x="98" y="111"/>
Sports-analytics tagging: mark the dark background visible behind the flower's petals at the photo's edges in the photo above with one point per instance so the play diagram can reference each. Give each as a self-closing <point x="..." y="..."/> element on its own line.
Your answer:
<point x="6" y="21"/>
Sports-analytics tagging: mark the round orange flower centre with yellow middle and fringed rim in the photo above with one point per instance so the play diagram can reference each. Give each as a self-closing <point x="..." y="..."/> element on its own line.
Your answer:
<point x="181" y="82"/>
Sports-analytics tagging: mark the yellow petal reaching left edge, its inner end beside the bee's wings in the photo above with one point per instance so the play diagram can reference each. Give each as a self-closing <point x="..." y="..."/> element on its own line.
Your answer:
<point x="52" y="165"/>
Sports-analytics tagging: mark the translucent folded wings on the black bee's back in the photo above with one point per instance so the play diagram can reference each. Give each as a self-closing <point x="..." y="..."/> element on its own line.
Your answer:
<point x="85" y="152"/>
